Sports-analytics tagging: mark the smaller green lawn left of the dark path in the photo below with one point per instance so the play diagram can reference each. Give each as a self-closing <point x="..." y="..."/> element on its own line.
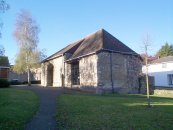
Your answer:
<point x="16" y="108"/>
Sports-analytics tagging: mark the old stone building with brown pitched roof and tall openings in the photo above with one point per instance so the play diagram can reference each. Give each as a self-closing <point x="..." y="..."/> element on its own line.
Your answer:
<point x="98" y="62"/>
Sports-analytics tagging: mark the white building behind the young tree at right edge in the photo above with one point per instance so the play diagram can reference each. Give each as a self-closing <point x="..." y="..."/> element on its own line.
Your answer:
<point x="162" y="70"/>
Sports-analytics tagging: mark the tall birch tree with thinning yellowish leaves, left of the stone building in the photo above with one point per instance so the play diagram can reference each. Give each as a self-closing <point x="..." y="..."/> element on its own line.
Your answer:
<point x="26" y="34"/>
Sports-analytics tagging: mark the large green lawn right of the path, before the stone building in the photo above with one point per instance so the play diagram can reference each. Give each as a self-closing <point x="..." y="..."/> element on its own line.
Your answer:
<point x="124" y="112"/>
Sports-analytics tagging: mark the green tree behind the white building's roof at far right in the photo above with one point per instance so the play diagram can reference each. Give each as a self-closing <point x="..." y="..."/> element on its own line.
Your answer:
<point x="166" y="50"/>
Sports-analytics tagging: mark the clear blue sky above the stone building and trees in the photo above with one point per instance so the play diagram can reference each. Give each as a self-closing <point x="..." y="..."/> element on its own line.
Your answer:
<point x="65" y="21"/>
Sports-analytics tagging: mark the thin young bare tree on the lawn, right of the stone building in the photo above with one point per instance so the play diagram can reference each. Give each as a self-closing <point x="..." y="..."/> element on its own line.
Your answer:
<point x="146" y="44"/>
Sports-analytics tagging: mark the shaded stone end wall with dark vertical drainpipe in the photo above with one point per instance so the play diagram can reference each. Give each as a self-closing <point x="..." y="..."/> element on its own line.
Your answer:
<point x="118" y="72"/>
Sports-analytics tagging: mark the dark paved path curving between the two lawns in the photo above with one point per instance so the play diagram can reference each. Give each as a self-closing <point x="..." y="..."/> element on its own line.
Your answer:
<point x="45" y="117"/>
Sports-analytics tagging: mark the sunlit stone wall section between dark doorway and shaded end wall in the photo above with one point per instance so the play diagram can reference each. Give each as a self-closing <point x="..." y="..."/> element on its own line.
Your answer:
<point x="88" y="71"/>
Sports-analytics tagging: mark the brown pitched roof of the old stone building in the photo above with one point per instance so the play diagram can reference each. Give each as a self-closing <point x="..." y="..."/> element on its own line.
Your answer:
<point x="98" y="41"/>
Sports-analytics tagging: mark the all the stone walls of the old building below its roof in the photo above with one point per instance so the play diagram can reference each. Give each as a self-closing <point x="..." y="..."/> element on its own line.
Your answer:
<point x="98" y="72"/>
